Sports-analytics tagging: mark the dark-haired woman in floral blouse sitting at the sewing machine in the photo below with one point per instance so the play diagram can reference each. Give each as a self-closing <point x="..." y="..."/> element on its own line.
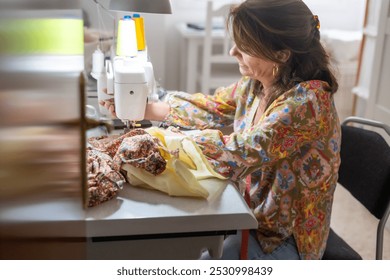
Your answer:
<point x="286" y="129"/>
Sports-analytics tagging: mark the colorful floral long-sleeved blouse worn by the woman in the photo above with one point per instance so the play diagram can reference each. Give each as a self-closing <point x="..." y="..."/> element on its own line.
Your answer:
<point x="292" y="155"/>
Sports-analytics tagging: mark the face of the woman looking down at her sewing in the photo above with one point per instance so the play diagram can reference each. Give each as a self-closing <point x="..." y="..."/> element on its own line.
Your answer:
<point x="254" y="67"/>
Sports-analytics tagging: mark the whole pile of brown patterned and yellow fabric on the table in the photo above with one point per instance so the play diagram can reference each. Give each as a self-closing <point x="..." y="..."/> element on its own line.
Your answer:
<point x="160" y="159"/>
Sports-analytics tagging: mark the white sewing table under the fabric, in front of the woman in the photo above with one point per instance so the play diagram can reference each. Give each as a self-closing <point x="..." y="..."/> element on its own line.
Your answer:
<point x="138" y="224"/>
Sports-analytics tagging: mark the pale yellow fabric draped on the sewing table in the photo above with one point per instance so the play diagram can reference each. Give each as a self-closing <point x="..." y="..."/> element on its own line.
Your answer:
<point x="184" y="174"/>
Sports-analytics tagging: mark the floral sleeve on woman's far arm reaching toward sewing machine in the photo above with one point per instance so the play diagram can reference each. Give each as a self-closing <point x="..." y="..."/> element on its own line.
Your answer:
<point x="200" y="111"/>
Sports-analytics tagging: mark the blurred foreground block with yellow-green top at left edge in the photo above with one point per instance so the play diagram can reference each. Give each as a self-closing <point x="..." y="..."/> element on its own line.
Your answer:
<point x="41" y="55"/>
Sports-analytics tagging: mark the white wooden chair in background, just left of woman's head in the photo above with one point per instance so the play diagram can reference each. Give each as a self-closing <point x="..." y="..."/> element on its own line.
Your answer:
<point x="215" y="18"/>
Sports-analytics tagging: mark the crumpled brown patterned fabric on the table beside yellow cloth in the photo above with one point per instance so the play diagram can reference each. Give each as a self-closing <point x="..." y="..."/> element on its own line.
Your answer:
<point x="107" y="154"/>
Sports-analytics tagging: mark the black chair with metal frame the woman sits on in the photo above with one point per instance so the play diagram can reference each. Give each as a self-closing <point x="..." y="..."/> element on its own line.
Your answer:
<point x="365" y="173"/>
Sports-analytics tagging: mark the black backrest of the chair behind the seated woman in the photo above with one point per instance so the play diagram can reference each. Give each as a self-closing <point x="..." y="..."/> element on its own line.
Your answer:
<point x="365" y="166"/>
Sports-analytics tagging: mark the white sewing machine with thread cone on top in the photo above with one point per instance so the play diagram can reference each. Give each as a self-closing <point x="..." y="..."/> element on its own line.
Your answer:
<point x="128" y="77"/>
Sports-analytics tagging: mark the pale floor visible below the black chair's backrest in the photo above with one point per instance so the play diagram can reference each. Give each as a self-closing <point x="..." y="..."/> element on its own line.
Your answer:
<point x="356" y="225"/>
